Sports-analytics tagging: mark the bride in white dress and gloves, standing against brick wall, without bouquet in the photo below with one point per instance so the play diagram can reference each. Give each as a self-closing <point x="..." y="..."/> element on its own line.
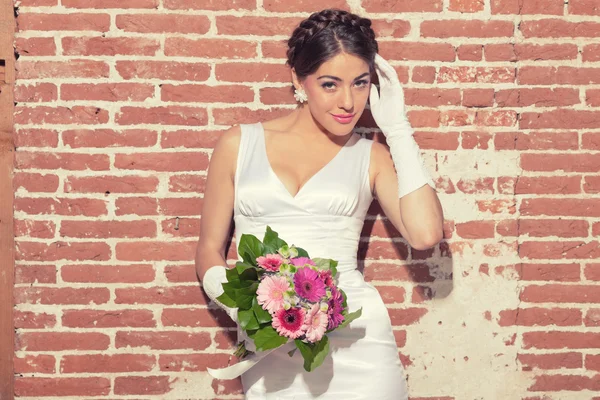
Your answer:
<point x="312" y="179"/>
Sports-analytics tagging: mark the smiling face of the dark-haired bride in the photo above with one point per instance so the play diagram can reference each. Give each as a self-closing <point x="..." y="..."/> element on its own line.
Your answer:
<point x="338" y="92"/>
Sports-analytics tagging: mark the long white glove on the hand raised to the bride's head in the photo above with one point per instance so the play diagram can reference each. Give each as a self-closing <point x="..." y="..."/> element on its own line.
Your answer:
<point x="389" y="111"/>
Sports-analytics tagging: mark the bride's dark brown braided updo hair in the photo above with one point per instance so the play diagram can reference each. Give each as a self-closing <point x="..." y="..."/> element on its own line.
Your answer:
<point x="327" y="33"/>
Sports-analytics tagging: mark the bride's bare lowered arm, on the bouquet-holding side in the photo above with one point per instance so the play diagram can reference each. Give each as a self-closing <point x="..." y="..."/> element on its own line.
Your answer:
<point x="217" y="206"/>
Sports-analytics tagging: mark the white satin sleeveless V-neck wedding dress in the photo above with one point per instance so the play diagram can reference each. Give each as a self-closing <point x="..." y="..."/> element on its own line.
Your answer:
<point x="326" y="219"/>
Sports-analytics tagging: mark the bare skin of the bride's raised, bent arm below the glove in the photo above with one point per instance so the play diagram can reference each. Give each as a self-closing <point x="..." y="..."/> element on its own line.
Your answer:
<point x="418" y="216"/>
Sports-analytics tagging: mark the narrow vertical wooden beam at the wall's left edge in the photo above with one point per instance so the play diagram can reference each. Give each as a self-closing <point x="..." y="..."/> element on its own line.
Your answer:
<point x="7" y="243"/>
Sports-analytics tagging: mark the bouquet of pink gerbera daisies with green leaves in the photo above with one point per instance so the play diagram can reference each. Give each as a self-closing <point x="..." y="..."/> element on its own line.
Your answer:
<point x="282" y="294"/>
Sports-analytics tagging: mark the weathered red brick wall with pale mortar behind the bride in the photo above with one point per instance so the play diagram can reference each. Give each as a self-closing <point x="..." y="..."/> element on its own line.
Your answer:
<point x="119" y="103"/>
